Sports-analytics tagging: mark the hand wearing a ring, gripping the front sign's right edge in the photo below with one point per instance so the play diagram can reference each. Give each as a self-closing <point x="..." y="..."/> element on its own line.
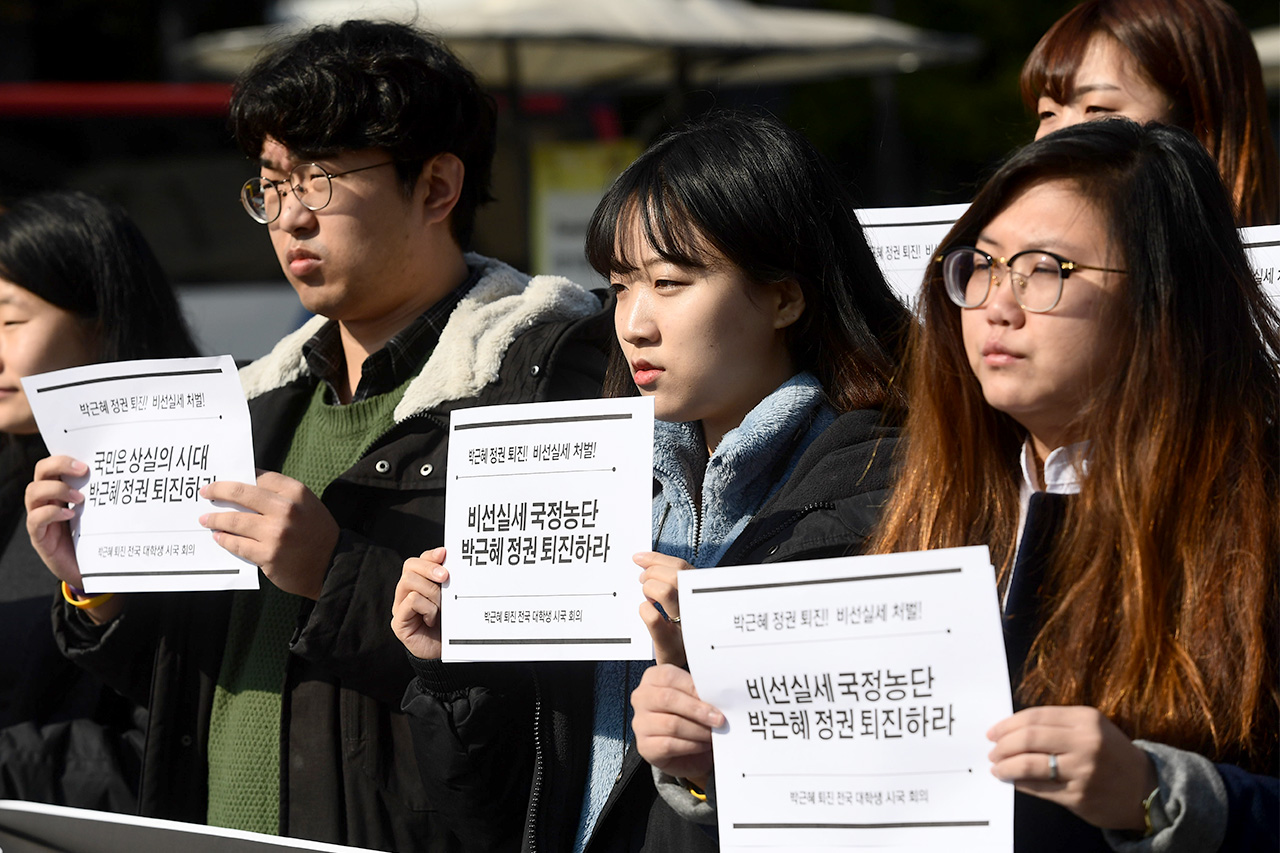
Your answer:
<point x="1078" y="759"/>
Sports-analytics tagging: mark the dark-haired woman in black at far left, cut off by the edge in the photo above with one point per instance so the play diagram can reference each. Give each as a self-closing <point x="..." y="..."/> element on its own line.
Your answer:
<point x="79" y="285"/>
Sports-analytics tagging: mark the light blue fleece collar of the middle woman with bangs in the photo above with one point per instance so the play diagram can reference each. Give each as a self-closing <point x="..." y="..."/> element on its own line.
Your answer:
<point x="751" y="463"/>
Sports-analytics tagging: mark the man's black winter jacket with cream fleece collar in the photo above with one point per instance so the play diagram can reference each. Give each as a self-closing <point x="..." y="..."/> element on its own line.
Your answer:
<point x="348" y="770"/>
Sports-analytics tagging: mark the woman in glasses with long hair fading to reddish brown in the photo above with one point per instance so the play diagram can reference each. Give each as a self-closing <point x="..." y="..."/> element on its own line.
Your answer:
<point x="1095" y="395"/>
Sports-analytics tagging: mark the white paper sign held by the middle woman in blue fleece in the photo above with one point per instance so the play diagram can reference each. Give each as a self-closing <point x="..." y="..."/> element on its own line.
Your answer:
<point x="547" y="504"/>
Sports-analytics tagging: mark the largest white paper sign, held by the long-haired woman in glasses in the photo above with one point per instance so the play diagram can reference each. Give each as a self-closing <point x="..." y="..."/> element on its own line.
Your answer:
<point x="858" y="694"/>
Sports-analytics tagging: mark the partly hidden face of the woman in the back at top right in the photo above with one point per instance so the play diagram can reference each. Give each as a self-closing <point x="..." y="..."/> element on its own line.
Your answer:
<point x="1109" y="83"/>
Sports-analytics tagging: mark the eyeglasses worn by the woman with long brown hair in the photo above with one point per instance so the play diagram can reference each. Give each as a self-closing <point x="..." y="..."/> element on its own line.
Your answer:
<point x="1036" y="277"/>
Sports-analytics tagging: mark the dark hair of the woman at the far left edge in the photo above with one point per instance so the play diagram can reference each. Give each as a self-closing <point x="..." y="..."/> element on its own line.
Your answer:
<point x="90" y="259"/>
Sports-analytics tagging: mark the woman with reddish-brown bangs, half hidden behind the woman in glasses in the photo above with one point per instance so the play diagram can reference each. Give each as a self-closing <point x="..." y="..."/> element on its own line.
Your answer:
<point x="1190" y="63"/>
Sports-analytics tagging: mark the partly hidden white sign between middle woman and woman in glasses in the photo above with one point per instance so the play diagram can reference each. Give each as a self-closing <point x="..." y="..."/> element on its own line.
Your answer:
<point x="904" y="241"/>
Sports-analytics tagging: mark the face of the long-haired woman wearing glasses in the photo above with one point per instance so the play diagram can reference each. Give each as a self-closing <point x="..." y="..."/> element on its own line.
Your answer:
<point x="1043" y="368"/>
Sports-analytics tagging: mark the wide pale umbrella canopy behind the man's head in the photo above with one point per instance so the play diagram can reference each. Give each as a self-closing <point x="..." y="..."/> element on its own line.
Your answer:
<point x="628" y="44"/>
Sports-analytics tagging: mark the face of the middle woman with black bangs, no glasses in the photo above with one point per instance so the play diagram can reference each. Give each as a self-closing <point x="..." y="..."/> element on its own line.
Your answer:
<point x="706" y="344"/>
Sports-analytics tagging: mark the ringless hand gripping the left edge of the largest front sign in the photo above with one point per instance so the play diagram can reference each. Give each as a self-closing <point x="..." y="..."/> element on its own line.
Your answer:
<point x="673" y="726"/>
